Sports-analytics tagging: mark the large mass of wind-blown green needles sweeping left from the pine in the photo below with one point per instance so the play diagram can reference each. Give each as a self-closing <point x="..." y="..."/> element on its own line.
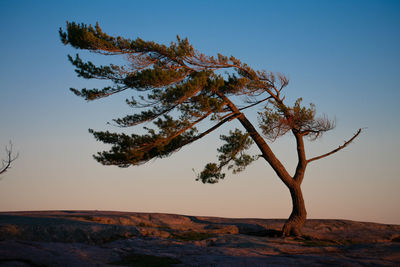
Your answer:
<point x="166" y="79"/>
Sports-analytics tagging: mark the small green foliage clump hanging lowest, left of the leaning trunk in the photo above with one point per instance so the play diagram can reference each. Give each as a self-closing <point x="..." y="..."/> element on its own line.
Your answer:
<point x="231" y="154"/>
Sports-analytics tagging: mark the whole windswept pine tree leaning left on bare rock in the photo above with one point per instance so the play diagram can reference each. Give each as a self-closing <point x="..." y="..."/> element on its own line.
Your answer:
<point x="176" y="87"/>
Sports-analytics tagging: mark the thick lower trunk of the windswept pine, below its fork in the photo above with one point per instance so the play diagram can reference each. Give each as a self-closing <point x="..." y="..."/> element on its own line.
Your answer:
<point x="298" y="216"/>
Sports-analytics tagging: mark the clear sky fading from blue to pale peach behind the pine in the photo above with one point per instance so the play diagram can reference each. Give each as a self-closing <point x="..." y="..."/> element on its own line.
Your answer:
<point x="343" y="56"/>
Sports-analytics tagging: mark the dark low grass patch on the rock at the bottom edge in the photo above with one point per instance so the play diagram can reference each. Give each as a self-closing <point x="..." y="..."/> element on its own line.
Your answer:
<point x="142" y="260"/>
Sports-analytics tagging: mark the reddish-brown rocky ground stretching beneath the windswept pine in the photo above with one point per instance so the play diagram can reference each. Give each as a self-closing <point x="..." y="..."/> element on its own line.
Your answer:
<point x="98" y="238"/>
